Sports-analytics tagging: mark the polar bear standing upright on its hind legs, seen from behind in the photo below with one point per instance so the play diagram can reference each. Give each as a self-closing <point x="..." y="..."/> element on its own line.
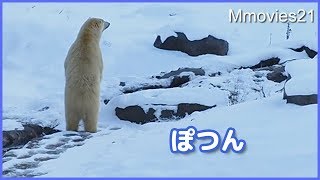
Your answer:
<point x="83" y="72"/>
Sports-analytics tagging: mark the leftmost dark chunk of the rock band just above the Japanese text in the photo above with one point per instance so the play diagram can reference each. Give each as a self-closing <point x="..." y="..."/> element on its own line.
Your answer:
<point x="136" y="114"/>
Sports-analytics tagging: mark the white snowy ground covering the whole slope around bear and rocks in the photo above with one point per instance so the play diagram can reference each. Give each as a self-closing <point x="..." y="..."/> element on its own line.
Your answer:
<point x="37" y="36"/>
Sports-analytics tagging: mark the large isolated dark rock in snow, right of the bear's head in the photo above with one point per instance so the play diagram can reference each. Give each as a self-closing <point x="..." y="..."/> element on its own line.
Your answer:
<point x="208" y="45"/>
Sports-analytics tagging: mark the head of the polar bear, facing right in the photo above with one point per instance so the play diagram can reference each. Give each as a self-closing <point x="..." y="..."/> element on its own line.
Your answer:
<point x="93" y="27"/>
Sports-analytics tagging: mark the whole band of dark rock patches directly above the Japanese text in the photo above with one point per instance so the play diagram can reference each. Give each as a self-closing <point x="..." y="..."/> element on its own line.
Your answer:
<point x="137" y="115"/>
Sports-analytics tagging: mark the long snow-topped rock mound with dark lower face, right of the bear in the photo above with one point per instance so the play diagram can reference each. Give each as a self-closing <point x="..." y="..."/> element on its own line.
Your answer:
<point x="147" y="103"/>
